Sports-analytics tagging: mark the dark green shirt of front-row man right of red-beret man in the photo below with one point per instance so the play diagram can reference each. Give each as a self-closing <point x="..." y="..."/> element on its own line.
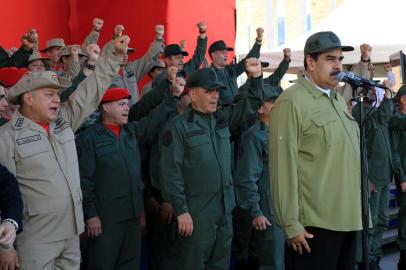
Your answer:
<point x="196" y="157"/>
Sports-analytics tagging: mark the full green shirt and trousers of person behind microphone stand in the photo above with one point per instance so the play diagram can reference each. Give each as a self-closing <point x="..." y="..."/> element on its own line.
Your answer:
<point x="379" y="170"/>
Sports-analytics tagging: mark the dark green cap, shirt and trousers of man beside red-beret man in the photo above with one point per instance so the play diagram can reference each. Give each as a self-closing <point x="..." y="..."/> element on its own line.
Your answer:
<point x="196" y="155"/>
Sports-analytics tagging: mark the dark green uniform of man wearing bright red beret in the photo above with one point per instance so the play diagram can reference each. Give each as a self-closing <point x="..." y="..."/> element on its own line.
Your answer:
<point x="112" y="187"/>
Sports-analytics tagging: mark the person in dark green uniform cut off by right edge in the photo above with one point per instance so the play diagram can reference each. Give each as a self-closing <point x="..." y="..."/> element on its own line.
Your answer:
<point x="397" y="128"/>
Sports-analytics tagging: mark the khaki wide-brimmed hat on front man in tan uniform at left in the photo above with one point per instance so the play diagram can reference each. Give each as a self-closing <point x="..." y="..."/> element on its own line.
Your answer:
<point x="36" y="80"/>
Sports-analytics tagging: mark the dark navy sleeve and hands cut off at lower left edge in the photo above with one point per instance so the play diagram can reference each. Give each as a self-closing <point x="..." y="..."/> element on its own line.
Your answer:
<point x="11" y="208"/>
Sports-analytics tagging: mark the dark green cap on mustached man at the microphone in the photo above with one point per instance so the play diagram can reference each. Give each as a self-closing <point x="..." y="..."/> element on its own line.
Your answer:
<point x="323" y="42"/>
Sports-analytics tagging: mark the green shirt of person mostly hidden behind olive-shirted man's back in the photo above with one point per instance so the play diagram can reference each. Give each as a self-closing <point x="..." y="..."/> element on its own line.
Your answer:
<point x="252" y="174"/>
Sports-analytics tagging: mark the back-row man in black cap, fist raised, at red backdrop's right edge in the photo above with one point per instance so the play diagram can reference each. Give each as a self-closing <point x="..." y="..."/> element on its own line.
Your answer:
<point x="228" y="73"/>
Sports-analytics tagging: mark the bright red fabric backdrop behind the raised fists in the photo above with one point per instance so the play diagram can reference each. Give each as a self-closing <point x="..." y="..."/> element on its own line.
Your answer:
<point x="72" y="20"/>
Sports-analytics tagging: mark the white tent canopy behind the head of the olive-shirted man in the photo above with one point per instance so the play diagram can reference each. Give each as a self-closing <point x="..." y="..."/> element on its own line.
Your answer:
<point x="376" y="22"/>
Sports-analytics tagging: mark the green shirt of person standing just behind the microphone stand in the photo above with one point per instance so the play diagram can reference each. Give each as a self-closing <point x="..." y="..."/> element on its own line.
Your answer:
<point x="377" y="140"/>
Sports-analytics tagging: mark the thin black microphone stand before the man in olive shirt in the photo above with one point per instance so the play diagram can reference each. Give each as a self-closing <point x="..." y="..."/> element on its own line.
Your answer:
<point x="364" y="179"/>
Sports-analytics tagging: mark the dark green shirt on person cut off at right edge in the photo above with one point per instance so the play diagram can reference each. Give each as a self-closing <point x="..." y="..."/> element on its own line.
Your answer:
<point x="397" y="128"/>
